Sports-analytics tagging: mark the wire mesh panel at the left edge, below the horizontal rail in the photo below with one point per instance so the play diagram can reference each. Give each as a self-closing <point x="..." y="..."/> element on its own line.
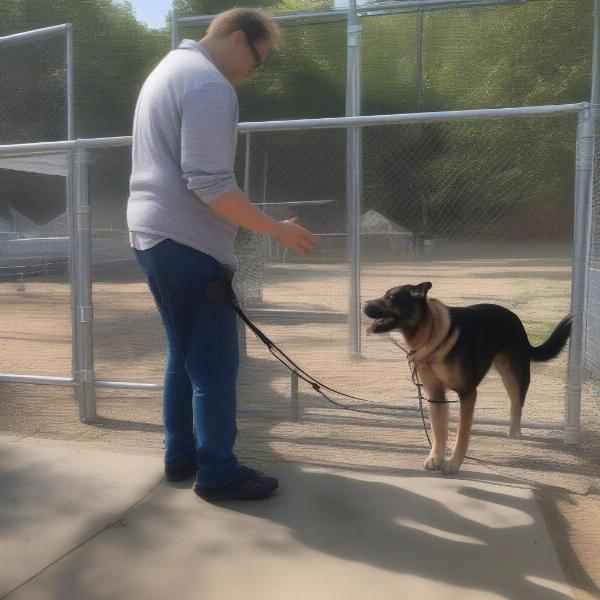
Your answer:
<point x="34" y="278"/>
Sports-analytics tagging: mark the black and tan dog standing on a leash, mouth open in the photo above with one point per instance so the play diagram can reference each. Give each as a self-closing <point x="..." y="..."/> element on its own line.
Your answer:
<point x="453" y="349"/>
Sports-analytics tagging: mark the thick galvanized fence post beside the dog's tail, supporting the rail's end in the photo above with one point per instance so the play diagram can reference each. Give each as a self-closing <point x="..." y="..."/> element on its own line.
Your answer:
<point x="581" y="256"/>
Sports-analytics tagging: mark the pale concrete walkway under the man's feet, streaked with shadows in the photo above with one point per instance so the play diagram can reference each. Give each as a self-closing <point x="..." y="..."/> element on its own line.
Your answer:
<point x="83" y="524"/>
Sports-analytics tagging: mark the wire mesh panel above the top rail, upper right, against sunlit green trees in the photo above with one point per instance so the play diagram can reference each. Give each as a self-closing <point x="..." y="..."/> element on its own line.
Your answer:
<point x="535" y="52"/>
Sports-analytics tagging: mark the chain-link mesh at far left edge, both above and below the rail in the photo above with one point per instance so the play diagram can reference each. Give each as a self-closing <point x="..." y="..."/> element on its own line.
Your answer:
<point x="34" y="232"/>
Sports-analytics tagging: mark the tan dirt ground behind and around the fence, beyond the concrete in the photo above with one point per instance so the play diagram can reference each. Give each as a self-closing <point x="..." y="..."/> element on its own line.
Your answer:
<point x="129" y="346"/>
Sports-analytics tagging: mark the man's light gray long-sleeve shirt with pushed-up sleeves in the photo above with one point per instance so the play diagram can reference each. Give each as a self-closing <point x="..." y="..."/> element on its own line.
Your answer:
<point x="184" y="140"/>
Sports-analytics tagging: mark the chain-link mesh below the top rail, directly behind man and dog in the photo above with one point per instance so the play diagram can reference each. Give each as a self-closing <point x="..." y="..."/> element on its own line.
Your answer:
<point x="463" y="219"/>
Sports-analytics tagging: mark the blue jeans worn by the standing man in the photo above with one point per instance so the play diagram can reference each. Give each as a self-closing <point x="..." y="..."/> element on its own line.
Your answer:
<point x="199" y="403"/>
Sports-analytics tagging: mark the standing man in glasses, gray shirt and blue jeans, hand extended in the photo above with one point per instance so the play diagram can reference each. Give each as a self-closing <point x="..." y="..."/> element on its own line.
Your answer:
<point x="183" y="213"/>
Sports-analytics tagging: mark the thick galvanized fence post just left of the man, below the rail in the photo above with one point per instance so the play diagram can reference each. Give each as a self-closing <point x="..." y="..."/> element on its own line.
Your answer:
<point x="83" y="373"/>
